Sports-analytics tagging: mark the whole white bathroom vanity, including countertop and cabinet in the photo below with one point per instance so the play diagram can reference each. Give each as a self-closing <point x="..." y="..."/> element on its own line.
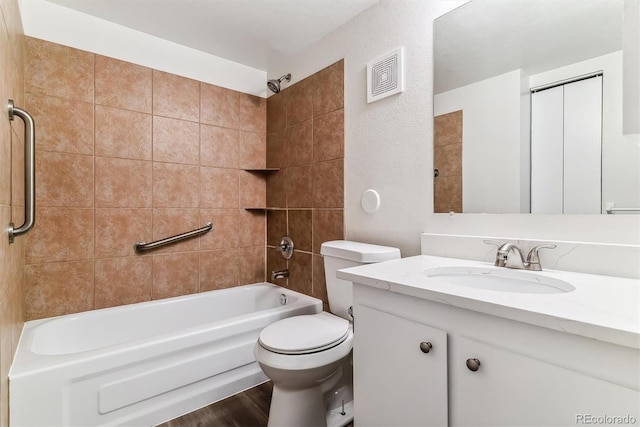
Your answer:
<point x="445" y="341"/>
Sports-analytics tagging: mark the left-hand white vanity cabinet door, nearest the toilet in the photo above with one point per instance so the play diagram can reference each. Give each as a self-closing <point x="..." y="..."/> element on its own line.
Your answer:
<point x="395" y="382"/>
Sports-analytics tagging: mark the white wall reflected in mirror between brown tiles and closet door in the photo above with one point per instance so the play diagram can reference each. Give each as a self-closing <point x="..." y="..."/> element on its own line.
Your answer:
<point x="491" y="152"/>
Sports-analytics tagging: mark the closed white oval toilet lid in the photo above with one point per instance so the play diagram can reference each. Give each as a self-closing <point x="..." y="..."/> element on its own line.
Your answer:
<point x="304" y="334"/>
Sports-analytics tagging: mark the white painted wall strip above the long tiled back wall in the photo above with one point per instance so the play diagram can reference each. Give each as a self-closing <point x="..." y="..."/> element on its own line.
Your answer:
<point x="48" y="21"/>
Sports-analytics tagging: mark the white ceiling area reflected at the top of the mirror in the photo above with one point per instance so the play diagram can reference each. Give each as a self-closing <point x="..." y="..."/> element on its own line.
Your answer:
<point x="486" y="38"/>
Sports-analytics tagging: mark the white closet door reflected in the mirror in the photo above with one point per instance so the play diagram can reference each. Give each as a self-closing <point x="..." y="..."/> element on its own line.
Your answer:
<point x="566" y="148"/>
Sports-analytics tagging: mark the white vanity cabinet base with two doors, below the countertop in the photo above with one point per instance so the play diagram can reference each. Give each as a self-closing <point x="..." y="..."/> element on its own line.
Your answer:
<point x="482" y="370"/>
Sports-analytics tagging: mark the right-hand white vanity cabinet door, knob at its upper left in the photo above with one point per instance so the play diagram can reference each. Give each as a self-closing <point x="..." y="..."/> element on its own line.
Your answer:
<point x="511" y="389"/>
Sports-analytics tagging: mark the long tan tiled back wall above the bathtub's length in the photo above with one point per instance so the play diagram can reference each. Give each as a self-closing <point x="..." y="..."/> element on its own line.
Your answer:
<point x="127" y="153"/>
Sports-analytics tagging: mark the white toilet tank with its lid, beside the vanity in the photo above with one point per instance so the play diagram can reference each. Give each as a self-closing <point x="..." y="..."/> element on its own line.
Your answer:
<point x="338" y="254"/>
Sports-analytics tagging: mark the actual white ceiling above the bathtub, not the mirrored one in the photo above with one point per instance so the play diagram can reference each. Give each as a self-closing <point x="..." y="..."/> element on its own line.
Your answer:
<point x="249" y="32"/>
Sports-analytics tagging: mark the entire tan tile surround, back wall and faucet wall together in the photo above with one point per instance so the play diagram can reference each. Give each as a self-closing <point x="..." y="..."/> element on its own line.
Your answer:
<point x="127" y="153"/>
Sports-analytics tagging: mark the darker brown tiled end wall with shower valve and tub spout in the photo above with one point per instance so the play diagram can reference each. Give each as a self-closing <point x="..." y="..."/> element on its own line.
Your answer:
<point x="305" y="139"/>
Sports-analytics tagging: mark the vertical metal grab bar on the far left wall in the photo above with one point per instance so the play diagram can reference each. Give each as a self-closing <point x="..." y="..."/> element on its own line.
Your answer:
<point x="29" y="172"/>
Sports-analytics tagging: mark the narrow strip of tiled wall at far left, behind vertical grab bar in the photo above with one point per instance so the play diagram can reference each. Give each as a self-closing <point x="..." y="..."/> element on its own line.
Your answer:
<point x="11" y="193"/>
